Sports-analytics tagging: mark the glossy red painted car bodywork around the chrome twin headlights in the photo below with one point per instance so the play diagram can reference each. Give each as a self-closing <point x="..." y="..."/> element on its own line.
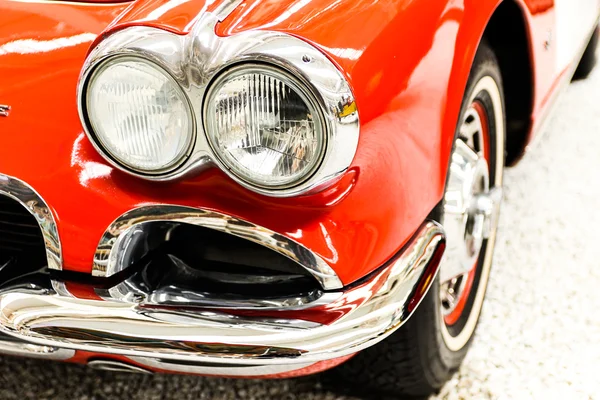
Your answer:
<point x="407" y="62"/>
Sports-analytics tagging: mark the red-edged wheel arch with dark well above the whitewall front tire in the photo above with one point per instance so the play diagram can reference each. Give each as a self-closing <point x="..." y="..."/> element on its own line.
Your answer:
<point x="506" y="26"/>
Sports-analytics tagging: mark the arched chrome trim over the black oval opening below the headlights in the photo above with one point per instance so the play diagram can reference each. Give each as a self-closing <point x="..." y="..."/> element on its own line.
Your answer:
<point x="116" y="240"/>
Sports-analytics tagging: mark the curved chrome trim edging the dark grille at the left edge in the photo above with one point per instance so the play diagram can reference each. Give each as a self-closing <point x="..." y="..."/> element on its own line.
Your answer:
<point x="20" y="191"/>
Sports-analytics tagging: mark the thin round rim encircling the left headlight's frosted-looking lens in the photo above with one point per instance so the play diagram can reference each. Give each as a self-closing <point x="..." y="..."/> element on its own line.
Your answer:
<point x="100" y="144"/>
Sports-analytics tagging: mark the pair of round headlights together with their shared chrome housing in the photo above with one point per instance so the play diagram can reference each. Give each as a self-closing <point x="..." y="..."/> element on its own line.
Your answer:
<point x="269" y="109"/>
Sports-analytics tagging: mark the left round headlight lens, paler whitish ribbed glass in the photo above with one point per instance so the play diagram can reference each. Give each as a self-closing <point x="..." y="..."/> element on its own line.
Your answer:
<point x="139" y="114"/>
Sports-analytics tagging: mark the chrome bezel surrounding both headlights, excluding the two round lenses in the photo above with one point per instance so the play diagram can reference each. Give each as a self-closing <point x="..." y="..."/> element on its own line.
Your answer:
<point x="196" y="59"/>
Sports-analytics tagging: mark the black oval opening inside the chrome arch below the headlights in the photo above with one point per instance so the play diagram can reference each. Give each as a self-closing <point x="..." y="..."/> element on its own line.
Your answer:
<point x="204" y="263"/>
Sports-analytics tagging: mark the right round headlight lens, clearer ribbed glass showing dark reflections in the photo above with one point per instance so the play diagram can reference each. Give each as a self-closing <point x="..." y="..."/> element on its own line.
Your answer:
<point x="264" y="126"/>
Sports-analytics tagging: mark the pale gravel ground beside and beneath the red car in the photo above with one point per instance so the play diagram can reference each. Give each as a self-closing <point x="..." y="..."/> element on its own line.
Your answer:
<point x="539" y="333"/>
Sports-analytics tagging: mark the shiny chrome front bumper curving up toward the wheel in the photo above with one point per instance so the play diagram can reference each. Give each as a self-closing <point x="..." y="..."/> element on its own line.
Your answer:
<point x="365" y="315"/>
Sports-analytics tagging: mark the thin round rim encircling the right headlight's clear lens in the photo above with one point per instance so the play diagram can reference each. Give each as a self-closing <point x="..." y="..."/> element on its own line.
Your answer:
<point x="296" y="84"/>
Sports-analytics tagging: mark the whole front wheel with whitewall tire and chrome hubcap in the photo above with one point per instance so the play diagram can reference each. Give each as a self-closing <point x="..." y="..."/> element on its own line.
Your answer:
<point x="422" y="355"/>
